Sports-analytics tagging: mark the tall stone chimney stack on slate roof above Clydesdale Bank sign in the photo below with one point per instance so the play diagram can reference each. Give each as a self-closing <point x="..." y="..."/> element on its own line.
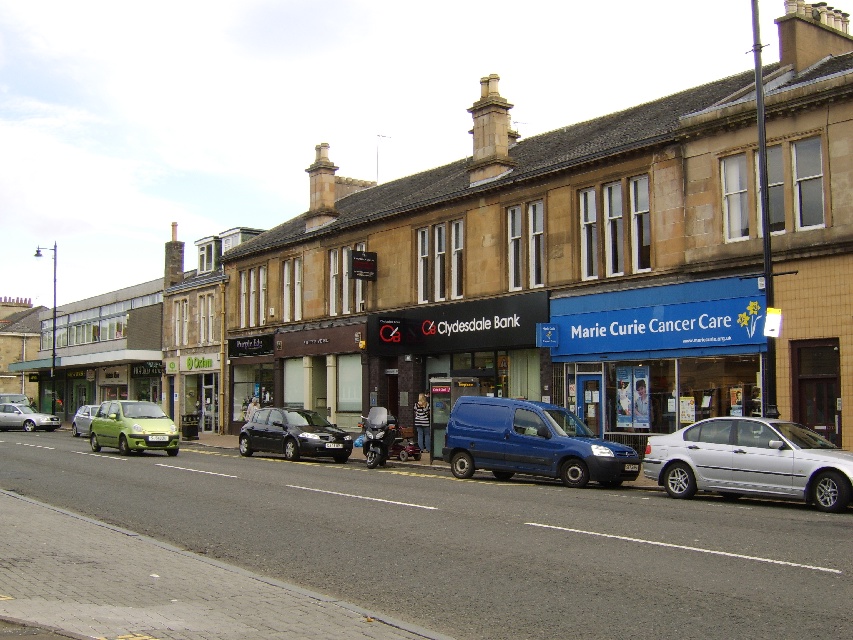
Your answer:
<point x="492" y="133"/>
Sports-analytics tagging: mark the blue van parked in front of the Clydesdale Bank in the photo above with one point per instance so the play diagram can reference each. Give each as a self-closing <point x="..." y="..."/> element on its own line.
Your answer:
<point x="508" y="436"/>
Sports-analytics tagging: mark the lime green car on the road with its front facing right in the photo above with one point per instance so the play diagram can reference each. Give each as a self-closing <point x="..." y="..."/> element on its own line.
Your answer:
<point x="134" y="425"/>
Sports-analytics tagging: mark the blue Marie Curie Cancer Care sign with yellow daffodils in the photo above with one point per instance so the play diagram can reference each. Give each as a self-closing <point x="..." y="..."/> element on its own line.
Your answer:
<point x="717" y="323"/>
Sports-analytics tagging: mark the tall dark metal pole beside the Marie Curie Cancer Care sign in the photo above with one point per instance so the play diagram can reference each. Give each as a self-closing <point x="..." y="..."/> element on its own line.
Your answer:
<point x="768" y="383"/>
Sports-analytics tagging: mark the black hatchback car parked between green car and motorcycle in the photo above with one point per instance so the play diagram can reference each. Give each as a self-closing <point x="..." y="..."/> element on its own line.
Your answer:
<point x="295" y="433"/>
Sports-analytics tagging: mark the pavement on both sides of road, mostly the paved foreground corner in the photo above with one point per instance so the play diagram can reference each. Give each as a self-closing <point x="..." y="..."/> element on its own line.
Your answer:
<point x="78" y="589"/>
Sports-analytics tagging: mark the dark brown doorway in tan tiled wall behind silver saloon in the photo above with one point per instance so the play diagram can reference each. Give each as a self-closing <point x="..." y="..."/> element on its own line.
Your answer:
<point x="817" y="384"/>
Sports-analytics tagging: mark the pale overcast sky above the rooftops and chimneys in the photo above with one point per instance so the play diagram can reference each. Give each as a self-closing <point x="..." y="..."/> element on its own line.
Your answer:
<point x="118" y="118"/>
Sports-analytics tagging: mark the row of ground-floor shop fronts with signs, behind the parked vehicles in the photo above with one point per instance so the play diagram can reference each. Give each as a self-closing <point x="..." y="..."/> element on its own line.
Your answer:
<point x="644" y="360"/>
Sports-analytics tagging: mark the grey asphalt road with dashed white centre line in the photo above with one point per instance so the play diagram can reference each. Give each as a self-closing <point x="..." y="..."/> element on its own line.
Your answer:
<point x="472" y="559"/>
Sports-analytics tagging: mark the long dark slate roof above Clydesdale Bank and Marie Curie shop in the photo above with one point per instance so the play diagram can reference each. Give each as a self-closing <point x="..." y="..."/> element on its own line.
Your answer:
<point x="636" y="128"/>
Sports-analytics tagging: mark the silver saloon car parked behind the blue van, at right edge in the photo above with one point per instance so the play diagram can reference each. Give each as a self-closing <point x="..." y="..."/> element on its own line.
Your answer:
<point x="736" y="457"/>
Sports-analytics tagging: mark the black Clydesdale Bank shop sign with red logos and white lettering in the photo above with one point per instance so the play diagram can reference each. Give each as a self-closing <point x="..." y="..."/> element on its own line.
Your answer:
<point x="496" y="323"/>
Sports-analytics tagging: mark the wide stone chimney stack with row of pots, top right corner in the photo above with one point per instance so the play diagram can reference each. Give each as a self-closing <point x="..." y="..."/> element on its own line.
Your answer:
<point x="810" y="32"/>
